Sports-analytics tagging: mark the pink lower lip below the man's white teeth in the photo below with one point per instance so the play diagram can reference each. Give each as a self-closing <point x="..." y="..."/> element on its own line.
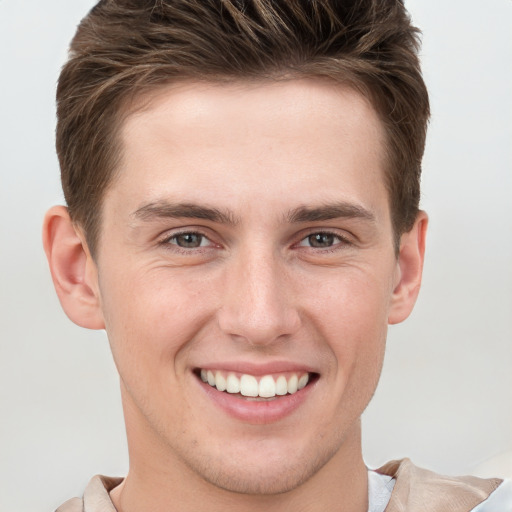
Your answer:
<point x="257" y="412"/>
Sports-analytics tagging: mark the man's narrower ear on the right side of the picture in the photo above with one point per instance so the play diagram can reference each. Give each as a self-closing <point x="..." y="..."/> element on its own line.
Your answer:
<point x="409" y="271"/>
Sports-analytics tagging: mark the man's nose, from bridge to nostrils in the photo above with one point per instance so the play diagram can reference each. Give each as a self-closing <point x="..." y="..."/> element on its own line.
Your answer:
<point x="258" y="304"/>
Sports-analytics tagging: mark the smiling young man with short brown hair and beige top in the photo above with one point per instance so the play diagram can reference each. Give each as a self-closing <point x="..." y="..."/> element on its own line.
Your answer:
<point x="242" y="181"/>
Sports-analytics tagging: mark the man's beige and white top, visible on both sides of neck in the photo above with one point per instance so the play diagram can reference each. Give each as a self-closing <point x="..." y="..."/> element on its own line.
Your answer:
<point x="398" y="486"/>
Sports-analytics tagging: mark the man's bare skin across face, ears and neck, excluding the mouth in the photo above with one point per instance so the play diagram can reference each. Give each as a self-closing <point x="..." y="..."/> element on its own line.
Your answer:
<point x="257" y="290"/>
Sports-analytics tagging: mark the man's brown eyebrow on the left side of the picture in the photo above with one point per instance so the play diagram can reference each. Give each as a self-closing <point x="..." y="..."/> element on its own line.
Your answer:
<point x="166" y="210"/>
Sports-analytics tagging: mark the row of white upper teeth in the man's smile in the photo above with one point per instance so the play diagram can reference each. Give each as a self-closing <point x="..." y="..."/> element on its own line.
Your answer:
<point x="248" y="385"/>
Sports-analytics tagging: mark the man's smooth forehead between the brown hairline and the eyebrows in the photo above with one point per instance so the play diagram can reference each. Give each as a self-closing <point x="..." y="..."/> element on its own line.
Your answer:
<point x="279" y="139"/>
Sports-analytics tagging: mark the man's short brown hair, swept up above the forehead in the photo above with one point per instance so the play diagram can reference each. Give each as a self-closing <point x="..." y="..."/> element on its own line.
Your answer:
<point x="124" y="48"/>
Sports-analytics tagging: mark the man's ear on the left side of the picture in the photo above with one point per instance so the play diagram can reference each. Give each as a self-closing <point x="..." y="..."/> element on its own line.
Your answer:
<point x="73" y="270"/>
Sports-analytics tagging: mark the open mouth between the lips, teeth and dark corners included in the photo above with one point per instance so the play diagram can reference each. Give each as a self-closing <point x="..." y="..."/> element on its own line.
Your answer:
<point x="256" y="388"/>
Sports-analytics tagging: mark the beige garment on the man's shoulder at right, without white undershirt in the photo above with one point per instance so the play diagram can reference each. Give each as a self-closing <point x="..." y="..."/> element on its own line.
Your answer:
<point x="416" y="487"/>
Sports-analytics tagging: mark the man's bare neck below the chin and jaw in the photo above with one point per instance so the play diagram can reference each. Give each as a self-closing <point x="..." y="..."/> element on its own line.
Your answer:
<point x="160" y="483"/>
